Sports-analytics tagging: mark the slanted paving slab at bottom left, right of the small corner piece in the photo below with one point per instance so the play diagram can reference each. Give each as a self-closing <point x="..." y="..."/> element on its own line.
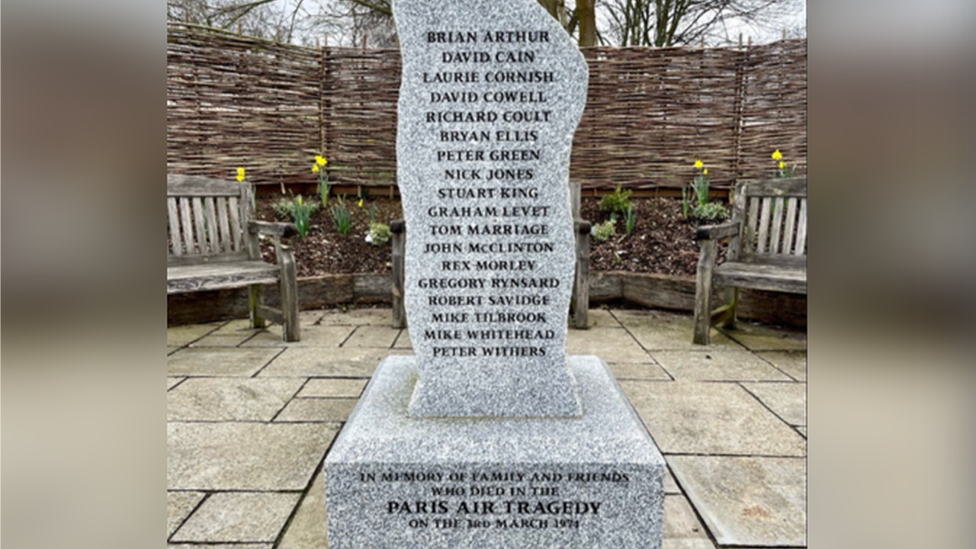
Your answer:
<point x="238" y="517"/>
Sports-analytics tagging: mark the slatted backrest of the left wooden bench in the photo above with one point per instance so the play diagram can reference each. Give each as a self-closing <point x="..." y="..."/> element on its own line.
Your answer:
<point x="207" y="220"/>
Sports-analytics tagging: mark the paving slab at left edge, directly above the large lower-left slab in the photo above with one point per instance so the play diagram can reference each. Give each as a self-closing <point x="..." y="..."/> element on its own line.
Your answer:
<point x="230" y="399"/>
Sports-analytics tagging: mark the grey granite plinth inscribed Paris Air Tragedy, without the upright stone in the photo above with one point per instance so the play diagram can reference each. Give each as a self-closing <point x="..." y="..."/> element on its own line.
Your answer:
<point x="399" y="482"/>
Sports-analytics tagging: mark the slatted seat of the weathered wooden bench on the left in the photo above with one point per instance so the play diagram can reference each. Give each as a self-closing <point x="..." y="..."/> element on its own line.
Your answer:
<point x="209" y="276"/>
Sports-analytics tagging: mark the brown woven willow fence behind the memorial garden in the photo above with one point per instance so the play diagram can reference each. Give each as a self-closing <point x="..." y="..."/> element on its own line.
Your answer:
<point x="239" y="101"/>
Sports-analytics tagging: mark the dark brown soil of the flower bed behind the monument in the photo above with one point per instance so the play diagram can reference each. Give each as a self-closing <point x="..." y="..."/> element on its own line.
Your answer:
<point x="661" y="241"/>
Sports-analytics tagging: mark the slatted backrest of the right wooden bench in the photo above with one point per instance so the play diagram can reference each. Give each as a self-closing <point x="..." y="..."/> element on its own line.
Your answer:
<point x="773" y="216"/>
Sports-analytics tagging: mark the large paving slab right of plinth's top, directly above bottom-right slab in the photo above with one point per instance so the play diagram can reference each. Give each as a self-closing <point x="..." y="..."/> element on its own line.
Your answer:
<point x="710" y="418"/>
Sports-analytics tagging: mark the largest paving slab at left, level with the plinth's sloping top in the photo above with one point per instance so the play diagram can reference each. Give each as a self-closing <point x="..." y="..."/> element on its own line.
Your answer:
<point x="244" y="456"/>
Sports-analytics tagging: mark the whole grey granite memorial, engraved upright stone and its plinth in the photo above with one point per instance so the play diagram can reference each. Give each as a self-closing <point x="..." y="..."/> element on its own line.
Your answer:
<point x="490" y="436"/>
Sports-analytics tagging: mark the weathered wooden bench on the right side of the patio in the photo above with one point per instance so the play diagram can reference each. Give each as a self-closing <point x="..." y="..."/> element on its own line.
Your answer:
<point x="767" y="250"/>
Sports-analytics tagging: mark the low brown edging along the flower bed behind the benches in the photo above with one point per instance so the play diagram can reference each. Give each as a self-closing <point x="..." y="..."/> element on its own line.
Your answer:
<point x="649" y="290"/>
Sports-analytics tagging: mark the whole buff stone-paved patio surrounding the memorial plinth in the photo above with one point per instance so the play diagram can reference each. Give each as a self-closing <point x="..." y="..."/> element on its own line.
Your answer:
<point x="250" y="419"/>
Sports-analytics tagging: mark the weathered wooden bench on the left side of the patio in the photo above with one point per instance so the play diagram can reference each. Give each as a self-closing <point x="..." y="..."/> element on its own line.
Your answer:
<point x="213" y="244"/>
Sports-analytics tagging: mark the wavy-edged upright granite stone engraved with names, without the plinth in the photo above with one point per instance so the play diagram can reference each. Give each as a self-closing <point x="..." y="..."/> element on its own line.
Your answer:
<point x="491" y="94"/>
